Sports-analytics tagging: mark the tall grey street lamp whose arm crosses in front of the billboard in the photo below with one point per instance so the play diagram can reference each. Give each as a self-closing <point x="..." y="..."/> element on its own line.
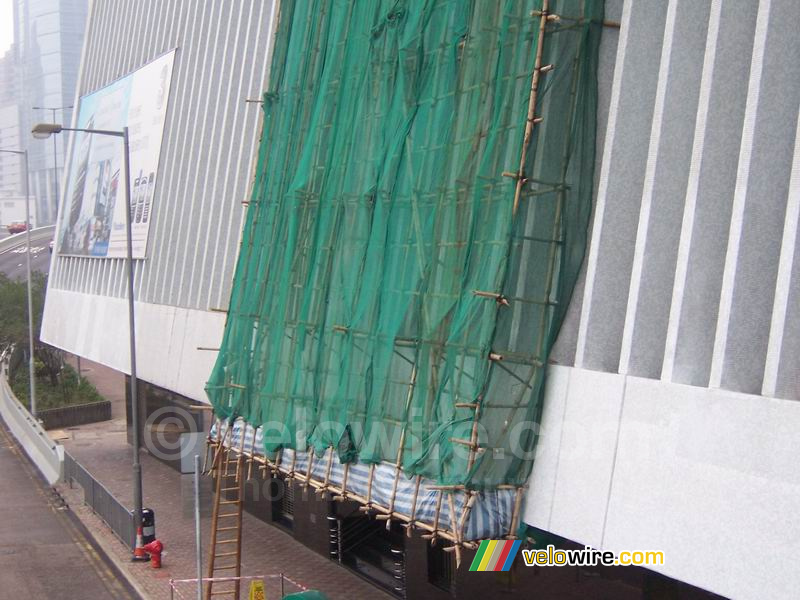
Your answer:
<point x="43" y="131"/>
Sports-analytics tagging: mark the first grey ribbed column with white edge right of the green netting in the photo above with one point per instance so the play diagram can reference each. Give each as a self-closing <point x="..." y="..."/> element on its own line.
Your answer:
<point x="620" y="188"/>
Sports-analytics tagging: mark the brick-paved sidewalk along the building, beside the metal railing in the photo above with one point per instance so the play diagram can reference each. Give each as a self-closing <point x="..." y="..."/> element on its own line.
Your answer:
<point x="103" y="450"/>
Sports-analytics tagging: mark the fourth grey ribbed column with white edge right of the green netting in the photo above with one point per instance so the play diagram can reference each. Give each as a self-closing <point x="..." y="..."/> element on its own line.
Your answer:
<point x="757" y="223"/>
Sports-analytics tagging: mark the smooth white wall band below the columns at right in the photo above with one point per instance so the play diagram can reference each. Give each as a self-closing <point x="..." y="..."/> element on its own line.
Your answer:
<point x="709" y="477"/>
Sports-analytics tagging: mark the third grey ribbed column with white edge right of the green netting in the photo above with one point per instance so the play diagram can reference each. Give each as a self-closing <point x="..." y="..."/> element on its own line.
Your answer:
<point x="712" y="182"/>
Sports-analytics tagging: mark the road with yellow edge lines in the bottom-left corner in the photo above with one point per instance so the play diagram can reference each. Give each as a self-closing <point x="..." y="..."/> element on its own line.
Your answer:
<point x="44" y="550"/>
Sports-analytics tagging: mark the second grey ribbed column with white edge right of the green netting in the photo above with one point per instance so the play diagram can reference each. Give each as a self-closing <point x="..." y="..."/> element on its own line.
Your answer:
<point x="665" y="186"/>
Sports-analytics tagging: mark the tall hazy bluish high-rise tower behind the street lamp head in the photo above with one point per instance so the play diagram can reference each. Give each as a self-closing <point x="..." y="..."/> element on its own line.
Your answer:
<point x="48" y="38"/>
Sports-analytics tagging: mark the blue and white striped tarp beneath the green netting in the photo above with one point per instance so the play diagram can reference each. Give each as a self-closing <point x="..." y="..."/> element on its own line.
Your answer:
<point x="489" y="518"/>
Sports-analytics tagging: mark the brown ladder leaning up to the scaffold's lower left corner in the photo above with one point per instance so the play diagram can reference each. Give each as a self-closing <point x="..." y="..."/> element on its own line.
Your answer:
<point x="226" y="517"/>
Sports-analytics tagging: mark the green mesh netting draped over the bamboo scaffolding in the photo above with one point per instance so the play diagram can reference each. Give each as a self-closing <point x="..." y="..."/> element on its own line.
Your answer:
<point x="380" y="225"/>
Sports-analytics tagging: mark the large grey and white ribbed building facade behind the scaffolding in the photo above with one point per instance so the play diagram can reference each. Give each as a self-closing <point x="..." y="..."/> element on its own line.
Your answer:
<point x="671" y="413"/>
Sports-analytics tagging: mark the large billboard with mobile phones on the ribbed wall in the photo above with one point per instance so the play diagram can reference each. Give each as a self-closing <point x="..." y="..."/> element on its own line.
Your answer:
<point x="92" y="217"/>
